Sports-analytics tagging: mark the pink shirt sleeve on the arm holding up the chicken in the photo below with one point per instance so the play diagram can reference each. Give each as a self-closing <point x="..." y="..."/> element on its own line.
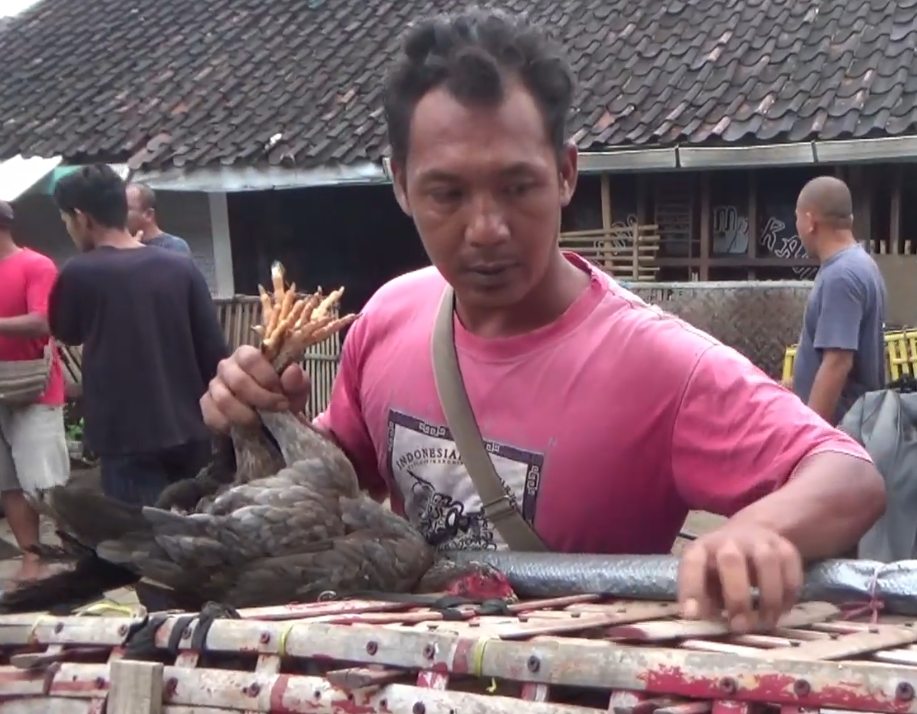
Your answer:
<point x="343" y="417"/>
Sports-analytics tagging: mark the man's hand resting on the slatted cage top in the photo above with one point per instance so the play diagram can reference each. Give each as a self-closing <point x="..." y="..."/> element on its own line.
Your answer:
<point x="718" y="571"/>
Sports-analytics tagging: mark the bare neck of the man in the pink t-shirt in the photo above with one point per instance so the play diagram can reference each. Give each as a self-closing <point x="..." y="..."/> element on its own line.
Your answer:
<point x="562" y="285"/>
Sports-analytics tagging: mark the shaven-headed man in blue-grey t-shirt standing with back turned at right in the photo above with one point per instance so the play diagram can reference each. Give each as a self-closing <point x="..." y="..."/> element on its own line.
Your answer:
<point x="841" y="353"/>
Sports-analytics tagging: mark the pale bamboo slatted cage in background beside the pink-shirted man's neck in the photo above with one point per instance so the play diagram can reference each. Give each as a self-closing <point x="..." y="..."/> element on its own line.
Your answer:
<point x="625" y="252"/>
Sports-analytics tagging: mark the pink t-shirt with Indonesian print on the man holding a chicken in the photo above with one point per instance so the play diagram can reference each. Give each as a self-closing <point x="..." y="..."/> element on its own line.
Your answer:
<point x="606" y="426"/>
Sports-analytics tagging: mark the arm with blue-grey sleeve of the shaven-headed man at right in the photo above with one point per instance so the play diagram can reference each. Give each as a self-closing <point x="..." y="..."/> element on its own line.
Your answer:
<point x="837" y="337"/>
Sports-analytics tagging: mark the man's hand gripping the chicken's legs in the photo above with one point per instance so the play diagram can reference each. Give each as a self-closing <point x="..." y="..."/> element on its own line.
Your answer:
<point x="246" y="381"/>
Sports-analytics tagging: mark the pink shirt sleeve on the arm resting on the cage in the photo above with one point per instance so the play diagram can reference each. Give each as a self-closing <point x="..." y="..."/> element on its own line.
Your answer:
<point x="739" y="436"/>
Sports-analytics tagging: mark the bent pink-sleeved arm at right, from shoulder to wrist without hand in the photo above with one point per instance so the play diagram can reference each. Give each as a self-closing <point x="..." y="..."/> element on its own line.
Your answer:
<point x="746" y="448"/>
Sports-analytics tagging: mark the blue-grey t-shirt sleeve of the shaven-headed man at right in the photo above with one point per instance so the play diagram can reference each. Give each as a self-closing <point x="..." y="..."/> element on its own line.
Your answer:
<point x="840" y="312"/>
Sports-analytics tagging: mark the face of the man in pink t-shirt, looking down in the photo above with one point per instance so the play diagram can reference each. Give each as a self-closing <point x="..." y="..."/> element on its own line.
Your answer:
<point x="485" y="190"/>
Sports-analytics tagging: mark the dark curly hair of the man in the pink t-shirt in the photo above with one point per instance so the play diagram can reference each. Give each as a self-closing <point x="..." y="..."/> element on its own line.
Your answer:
<point x="473" y="54"/>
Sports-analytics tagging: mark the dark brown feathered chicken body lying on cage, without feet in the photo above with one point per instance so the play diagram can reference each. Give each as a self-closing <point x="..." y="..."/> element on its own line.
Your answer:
<point x="288" y="537"/>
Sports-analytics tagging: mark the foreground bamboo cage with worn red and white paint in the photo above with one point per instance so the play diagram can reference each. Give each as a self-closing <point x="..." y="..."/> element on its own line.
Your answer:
<point x="571" y="655"/>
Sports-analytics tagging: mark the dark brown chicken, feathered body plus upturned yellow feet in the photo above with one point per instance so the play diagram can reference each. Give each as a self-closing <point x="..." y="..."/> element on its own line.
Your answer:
<point x="291" y="524"/>
